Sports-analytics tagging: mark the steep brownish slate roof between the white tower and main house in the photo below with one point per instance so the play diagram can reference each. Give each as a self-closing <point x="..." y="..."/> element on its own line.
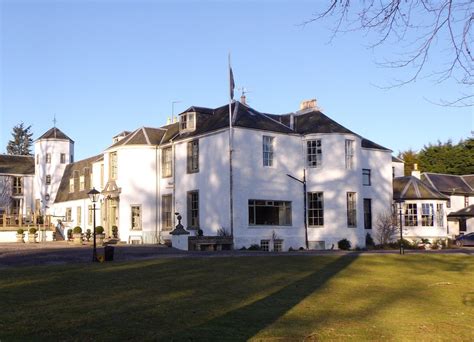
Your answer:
<point x="63" y="193"/>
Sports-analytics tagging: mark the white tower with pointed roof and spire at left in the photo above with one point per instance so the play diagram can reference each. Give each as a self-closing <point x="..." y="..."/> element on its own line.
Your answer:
<point x="53" y="151"/>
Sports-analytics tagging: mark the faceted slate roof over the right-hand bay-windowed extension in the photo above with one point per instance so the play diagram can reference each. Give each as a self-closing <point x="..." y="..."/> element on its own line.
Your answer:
<point x="411" y="188"/>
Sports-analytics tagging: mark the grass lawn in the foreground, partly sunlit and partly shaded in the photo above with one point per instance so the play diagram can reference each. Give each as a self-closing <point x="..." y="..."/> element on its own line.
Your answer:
<point x="384" y="297"/>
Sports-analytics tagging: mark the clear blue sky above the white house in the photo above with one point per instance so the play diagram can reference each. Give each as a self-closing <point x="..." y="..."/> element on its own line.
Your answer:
<point x="106" y="66"/>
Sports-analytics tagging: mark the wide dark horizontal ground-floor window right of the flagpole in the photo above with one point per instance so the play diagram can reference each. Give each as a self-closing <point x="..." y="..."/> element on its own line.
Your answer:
<point x="269" y="213"/>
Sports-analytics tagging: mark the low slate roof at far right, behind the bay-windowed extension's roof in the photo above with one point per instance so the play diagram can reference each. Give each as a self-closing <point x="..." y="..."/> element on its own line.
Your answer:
<point x="448" y="184"/>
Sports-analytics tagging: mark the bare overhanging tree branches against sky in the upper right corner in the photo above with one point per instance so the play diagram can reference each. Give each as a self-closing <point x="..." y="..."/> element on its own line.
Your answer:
<point x="418" y="29"/>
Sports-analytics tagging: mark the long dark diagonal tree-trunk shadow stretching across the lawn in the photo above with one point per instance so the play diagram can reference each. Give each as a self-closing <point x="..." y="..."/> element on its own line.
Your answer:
<point x="243" y="323"/>
